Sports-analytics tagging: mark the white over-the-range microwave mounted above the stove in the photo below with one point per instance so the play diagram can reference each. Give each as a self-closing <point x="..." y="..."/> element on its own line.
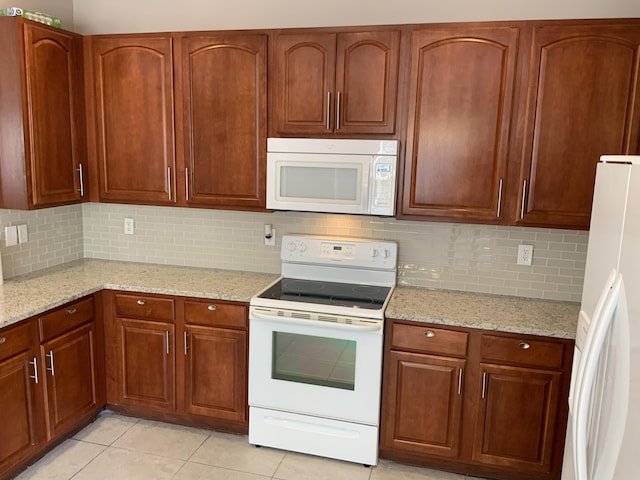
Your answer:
<point x="332" y="176"/>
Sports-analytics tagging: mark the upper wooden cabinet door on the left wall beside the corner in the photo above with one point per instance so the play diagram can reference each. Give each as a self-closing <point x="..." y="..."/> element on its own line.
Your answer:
<point x="53" y="74"/>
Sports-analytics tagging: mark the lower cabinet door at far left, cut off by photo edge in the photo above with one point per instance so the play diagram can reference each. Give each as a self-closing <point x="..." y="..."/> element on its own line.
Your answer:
<point x="18" y="414"/>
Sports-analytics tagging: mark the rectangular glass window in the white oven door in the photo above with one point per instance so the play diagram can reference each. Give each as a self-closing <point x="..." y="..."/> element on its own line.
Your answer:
<point x="325" y="361"/>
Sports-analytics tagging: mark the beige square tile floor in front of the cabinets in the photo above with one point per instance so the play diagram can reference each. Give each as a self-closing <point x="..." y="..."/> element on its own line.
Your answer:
<point x="125" y="448"/>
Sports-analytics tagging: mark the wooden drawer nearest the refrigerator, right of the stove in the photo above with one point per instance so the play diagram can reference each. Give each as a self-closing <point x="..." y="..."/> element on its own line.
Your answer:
<point x="520" y="351"/>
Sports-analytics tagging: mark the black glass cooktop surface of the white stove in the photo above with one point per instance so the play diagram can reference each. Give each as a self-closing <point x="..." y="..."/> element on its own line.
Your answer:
<point x="328" y="293"/>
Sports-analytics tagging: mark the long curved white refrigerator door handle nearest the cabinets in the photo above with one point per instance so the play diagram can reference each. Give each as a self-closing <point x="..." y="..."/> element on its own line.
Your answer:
<point x="589" y="363"/>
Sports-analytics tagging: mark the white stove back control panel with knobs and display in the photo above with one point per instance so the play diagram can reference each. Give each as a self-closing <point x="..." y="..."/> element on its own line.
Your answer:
<point x="357" y="252"/>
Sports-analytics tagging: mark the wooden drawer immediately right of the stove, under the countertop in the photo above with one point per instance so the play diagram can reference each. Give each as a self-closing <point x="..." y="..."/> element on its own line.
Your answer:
<point x="429" y="340"/>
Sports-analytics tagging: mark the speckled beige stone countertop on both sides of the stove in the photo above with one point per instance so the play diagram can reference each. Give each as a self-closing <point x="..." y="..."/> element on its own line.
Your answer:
<point x="29" y="295"/>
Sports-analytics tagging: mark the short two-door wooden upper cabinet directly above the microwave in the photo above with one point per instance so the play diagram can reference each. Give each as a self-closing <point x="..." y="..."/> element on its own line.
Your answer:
<point x="335" y="83"/>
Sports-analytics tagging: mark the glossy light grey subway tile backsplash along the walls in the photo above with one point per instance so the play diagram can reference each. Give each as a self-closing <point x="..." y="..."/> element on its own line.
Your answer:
<point x="476" y="258"/>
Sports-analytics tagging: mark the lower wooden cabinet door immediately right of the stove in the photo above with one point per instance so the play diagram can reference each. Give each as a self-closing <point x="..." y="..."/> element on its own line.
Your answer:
<point x="422" y="404"/>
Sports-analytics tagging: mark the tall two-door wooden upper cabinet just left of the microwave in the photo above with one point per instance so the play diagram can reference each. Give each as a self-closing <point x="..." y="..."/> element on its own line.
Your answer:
<point x="208" y="152"/>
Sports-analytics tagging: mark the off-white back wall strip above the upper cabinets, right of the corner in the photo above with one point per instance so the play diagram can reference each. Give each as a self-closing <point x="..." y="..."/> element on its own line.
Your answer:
<point x="120" y="16"/>
